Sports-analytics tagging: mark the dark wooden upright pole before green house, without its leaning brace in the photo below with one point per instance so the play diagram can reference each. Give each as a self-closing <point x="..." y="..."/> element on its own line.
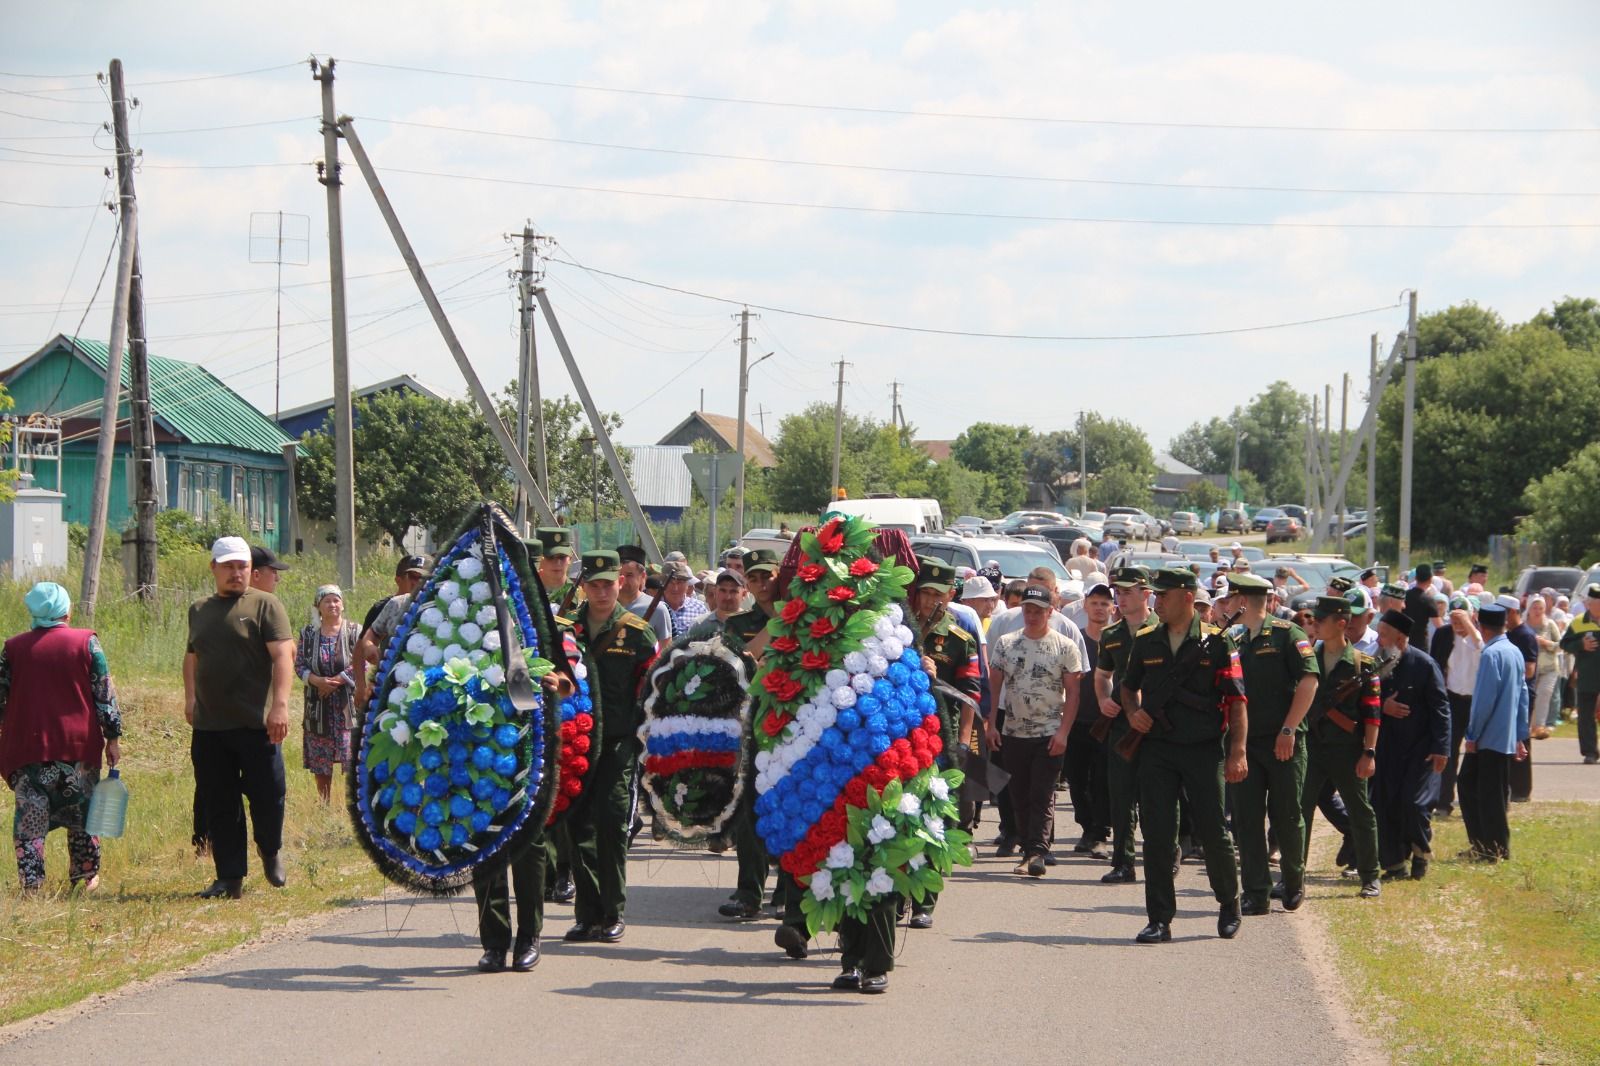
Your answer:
<point x="142" y="422"/>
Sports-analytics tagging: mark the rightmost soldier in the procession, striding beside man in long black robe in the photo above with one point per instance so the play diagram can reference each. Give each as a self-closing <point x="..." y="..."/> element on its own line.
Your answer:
<point x="1343" y="742"/>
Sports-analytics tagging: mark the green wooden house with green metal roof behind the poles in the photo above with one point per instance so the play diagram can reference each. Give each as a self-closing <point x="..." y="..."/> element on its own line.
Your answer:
<point x="212" y="446"/>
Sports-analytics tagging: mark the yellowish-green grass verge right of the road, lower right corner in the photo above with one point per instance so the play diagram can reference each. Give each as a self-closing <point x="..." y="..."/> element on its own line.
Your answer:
<point x="1484" y="964"/>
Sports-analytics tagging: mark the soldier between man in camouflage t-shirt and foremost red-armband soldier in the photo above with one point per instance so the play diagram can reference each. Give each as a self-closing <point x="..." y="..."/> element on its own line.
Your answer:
<point x="1134" y="604"/>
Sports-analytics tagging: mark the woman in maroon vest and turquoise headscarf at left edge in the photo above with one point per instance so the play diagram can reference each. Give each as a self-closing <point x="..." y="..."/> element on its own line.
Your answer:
<point x="58" y="710"/>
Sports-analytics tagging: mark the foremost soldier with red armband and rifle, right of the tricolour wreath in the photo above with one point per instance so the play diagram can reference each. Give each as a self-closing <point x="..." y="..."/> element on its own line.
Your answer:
<point x="1183" y="692"/>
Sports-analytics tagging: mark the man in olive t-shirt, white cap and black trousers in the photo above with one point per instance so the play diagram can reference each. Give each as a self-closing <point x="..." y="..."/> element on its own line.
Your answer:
<point x="238" y="675"/>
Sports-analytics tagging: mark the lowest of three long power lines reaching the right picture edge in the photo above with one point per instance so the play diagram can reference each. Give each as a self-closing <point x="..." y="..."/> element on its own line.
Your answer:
<point x="998" y="217"/>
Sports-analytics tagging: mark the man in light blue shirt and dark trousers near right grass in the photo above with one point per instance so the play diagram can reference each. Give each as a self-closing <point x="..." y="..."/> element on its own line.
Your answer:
<point x="1497" y="735"/>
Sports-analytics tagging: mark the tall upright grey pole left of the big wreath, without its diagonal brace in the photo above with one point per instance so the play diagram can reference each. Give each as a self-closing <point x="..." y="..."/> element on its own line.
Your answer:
<point x="343" y="423"/>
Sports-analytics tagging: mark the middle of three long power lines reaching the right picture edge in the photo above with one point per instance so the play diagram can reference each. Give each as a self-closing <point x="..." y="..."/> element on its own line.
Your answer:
<point x="964" y="174"/>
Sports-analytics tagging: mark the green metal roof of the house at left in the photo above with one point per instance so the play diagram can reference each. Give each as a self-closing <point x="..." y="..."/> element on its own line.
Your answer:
<point x="194" y="403"/>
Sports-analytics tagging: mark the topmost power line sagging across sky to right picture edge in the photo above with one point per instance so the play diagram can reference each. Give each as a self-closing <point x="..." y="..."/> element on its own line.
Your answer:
<point x="906" y="113"/>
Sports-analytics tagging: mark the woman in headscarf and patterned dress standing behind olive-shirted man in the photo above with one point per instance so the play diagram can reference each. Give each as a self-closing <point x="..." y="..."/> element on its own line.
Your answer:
<point x="324" y="663"/>
